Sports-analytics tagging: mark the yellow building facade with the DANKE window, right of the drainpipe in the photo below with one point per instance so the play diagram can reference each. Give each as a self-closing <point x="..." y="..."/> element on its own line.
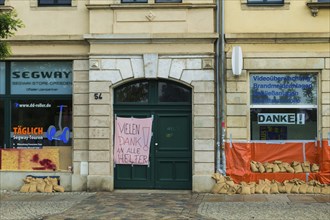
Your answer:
<point x="285" y="70"/>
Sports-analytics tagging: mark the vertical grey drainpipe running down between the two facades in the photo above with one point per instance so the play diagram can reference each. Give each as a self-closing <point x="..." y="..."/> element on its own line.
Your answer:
<point x="220" y="88"/>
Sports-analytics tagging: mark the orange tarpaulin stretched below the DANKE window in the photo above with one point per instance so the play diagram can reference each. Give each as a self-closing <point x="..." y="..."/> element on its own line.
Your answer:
<point x="239" y="156"/>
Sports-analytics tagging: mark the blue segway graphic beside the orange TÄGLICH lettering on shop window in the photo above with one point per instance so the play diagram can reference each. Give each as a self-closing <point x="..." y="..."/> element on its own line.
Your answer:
<point x="61" y="134"/>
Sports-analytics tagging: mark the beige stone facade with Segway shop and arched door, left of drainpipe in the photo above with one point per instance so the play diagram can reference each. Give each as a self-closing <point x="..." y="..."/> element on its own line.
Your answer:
<point x="77" y="65"/>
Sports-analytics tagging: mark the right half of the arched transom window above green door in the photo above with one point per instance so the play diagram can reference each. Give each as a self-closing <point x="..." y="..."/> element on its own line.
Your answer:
<point x="171" y="92"/>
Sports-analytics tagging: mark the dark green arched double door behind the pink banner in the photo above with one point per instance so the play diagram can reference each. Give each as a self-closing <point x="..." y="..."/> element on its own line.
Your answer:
<point x="171" y="145"/>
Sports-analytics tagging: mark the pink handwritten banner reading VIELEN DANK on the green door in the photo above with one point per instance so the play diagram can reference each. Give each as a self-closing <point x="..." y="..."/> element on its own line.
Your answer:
<point x="132" y="140"/>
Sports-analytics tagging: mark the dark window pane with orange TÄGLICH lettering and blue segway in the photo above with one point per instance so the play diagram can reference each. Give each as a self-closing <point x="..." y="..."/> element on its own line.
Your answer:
<point x="40" y="123"/>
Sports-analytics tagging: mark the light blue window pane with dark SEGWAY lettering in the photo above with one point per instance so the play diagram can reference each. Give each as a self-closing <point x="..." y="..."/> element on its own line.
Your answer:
<point x="41" y="78"/>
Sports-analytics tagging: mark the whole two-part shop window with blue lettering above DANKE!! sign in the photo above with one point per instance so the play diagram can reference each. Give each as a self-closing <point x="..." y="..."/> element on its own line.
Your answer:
<point x="283" y="106"/>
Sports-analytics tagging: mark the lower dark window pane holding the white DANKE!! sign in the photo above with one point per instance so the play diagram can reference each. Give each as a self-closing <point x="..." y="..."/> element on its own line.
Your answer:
<point x="283" y="124"/>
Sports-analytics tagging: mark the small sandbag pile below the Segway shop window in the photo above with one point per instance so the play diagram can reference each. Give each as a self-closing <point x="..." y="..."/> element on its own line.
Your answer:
<point x="48" y="185"/>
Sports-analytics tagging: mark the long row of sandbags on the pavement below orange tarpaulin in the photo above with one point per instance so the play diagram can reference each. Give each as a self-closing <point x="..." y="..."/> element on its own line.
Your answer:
<point x="225" y="185"/>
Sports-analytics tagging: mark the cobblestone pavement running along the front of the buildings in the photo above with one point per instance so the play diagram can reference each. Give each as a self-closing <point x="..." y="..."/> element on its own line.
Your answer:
<point x="161" y="205"/>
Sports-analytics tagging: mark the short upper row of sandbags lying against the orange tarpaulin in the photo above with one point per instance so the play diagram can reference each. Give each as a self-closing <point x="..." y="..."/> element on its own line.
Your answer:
<point x="283" y="167"/>
